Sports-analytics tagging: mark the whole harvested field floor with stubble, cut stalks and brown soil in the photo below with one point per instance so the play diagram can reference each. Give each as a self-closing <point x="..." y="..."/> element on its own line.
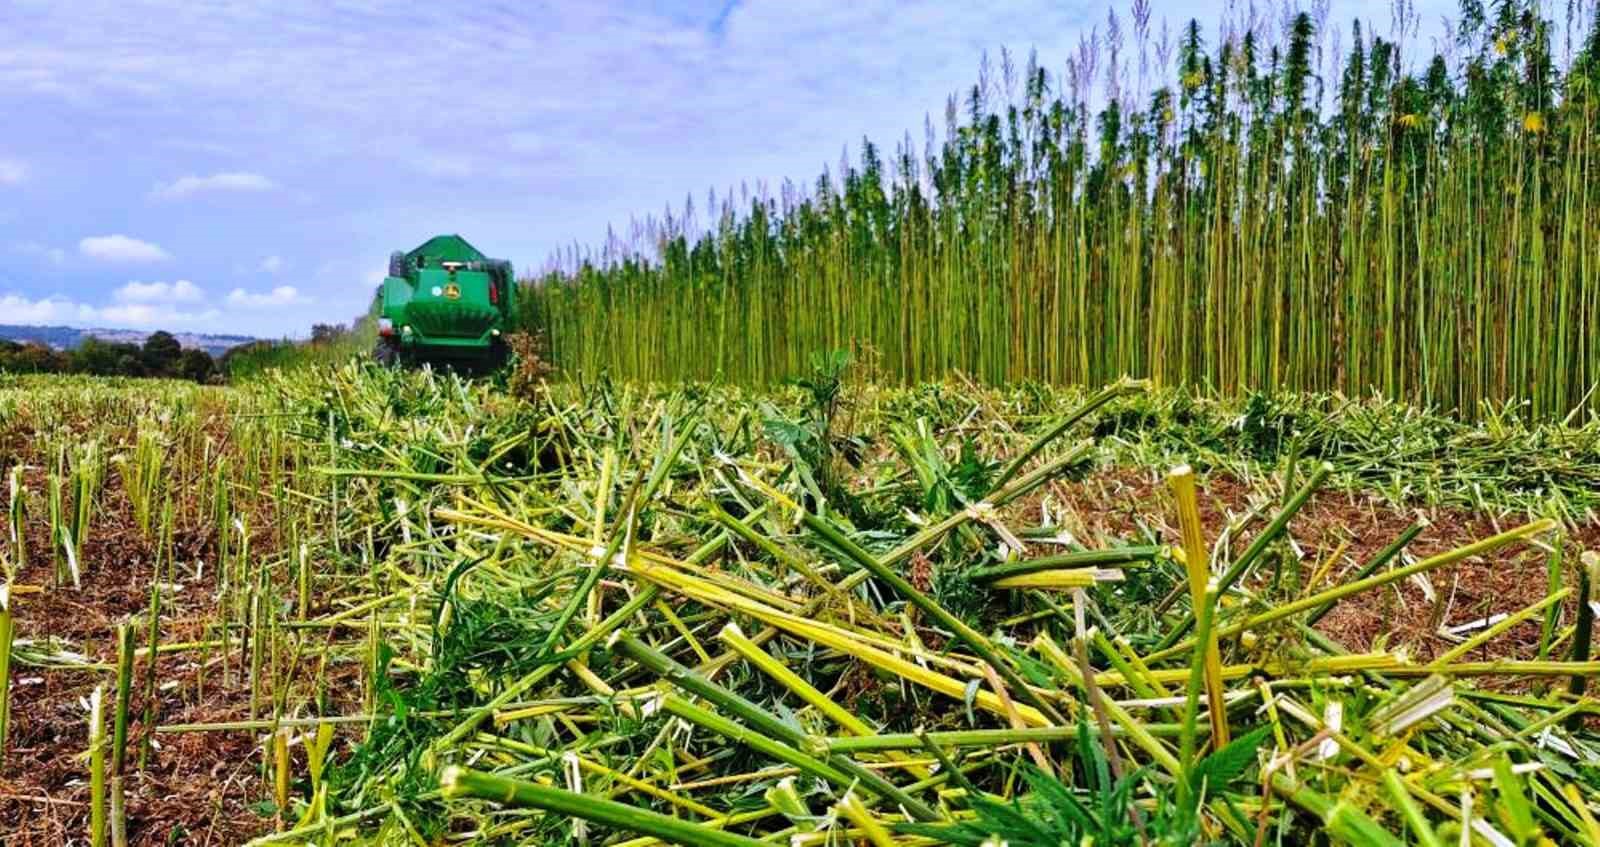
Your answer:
<point x="412" y="608"/>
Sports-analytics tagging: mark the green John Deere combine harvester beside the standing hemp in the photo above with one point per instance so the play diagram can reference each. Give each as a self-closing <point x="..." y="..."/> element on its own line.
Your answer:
<point x="446" y="303"/>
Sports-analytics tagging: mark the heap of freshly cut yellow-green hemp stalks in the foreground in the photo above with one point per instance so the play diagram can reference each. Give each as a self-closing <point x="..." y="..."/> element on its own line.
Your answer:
<point x="716" y="652"/>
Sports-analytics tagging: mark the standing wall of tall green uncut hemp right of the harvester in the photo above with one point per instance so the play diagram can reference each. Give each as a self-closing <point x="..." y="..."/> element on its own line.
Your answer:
<point x="1426" y="228"/>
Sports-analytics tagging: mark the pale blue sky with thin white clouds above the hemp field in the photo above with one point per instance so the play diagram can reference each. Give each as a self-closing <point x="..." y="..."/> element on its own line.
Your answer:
<point x="247" y="167"/>
